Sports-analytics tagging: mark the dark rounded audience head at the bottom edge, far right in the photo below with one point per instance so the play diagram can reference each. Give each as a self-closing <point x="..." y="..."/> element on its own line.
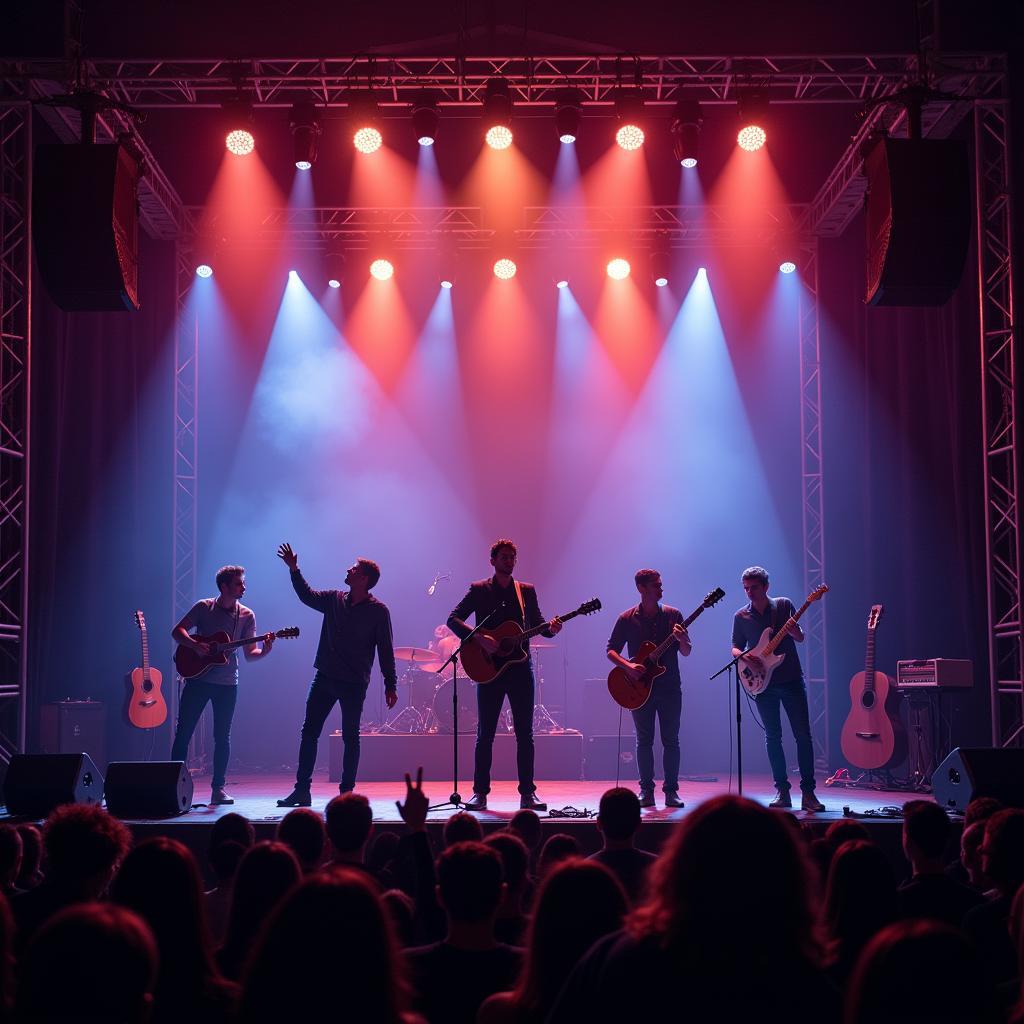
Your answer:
<point x="914" y="972"/>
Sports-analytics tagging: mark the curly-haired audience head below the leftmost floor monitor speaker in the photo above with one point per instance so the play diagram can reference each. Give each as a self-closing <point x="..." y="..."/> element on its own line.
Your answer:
<point x="84" y="846"/>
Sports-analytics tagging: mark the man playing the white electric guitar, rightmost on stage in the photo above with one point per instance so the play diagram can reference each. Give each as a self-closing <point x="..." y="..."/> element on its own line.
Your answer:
<point x="787" y="689"/>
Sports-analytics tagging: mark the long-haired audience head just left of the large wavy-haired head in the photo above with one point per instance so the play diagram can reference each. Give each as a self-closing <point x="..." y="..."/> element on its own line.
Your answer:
<point x="579" y="903"/>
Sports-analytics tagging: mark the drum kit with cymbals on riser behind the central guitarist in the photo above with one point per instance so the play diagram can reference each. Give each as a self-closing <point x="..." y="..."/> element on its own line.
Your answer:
<point x="426" y="709"/>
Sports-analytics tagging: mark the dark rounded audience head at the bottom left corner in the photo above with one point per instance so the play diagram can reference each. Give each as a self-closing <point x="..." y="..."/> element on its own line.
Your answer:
<point x="92" y="962"/>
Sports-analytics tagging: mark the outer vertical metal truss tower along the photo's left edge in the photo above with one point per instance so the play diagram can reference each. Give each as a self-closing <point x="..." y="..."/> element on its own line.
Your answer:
<point x="16" y="327"/>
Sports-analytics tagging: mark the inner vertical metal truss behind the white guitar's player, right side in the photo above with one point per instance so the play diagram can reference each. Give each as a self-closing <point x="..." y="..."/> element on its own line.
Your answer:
<point x="816" y="655"/>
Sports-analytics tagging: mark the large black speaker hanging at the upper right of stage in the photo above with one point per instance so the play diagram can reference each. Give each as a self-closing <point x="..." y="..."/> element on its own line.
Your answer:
<point x="919" y="221"/>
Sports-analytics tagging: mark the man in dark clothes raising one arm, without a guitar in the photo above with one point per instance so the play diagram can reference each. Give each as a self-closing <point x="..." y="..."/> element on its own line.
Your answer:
<point x="356" y="625"/>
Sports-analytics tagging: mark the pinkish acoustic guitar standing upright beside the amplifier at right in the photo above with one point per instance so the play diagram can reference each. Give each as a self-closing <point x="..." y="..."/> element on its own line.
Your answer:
<point x="873" y="735"/>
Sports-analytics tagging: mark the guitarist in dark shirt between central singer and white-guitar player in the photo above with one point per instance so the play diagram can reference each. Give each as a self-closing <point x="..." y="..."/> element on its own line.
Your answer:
<point x="653" y="621"/>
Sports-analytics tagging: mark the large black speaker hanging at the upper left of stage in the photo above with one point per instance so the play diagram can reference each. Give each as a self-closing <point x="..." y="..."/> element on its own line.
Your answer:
<point x="86" y="226"/>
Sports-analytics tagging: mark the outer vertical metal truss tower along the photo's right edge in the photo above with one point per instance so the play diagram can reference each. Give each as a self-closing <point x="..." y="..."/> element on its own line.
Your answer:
<point x="1001" y="401"/>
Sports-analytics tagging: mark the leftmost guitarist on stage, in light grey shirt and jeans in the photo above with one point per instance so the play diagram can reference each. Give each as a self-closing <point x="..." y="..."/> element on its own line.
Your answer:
<point x="220" y="684"/>
